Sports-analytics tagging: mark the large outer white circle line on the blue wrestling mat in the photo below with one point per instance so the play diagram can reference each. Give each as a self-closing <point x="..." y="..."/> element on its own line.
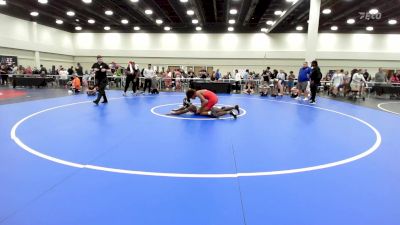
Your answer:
<point x="370" y="150"/>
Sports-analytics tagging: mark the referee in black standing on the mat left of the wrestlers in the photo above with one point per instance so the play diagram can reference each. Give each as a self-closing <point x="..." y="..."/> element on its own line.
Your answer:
<point x="101" y="79"/>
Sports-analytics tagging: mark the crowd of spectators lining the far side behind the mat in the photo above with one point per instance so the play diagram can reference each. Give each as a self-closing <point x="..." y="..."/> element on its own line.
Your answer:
<point x="269" y="81"/>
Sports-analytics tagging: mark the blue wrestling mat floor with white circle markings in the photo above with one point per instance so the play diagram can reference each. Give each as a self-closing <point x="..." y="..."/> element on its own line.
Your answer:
<point x="283" y="162"/>
